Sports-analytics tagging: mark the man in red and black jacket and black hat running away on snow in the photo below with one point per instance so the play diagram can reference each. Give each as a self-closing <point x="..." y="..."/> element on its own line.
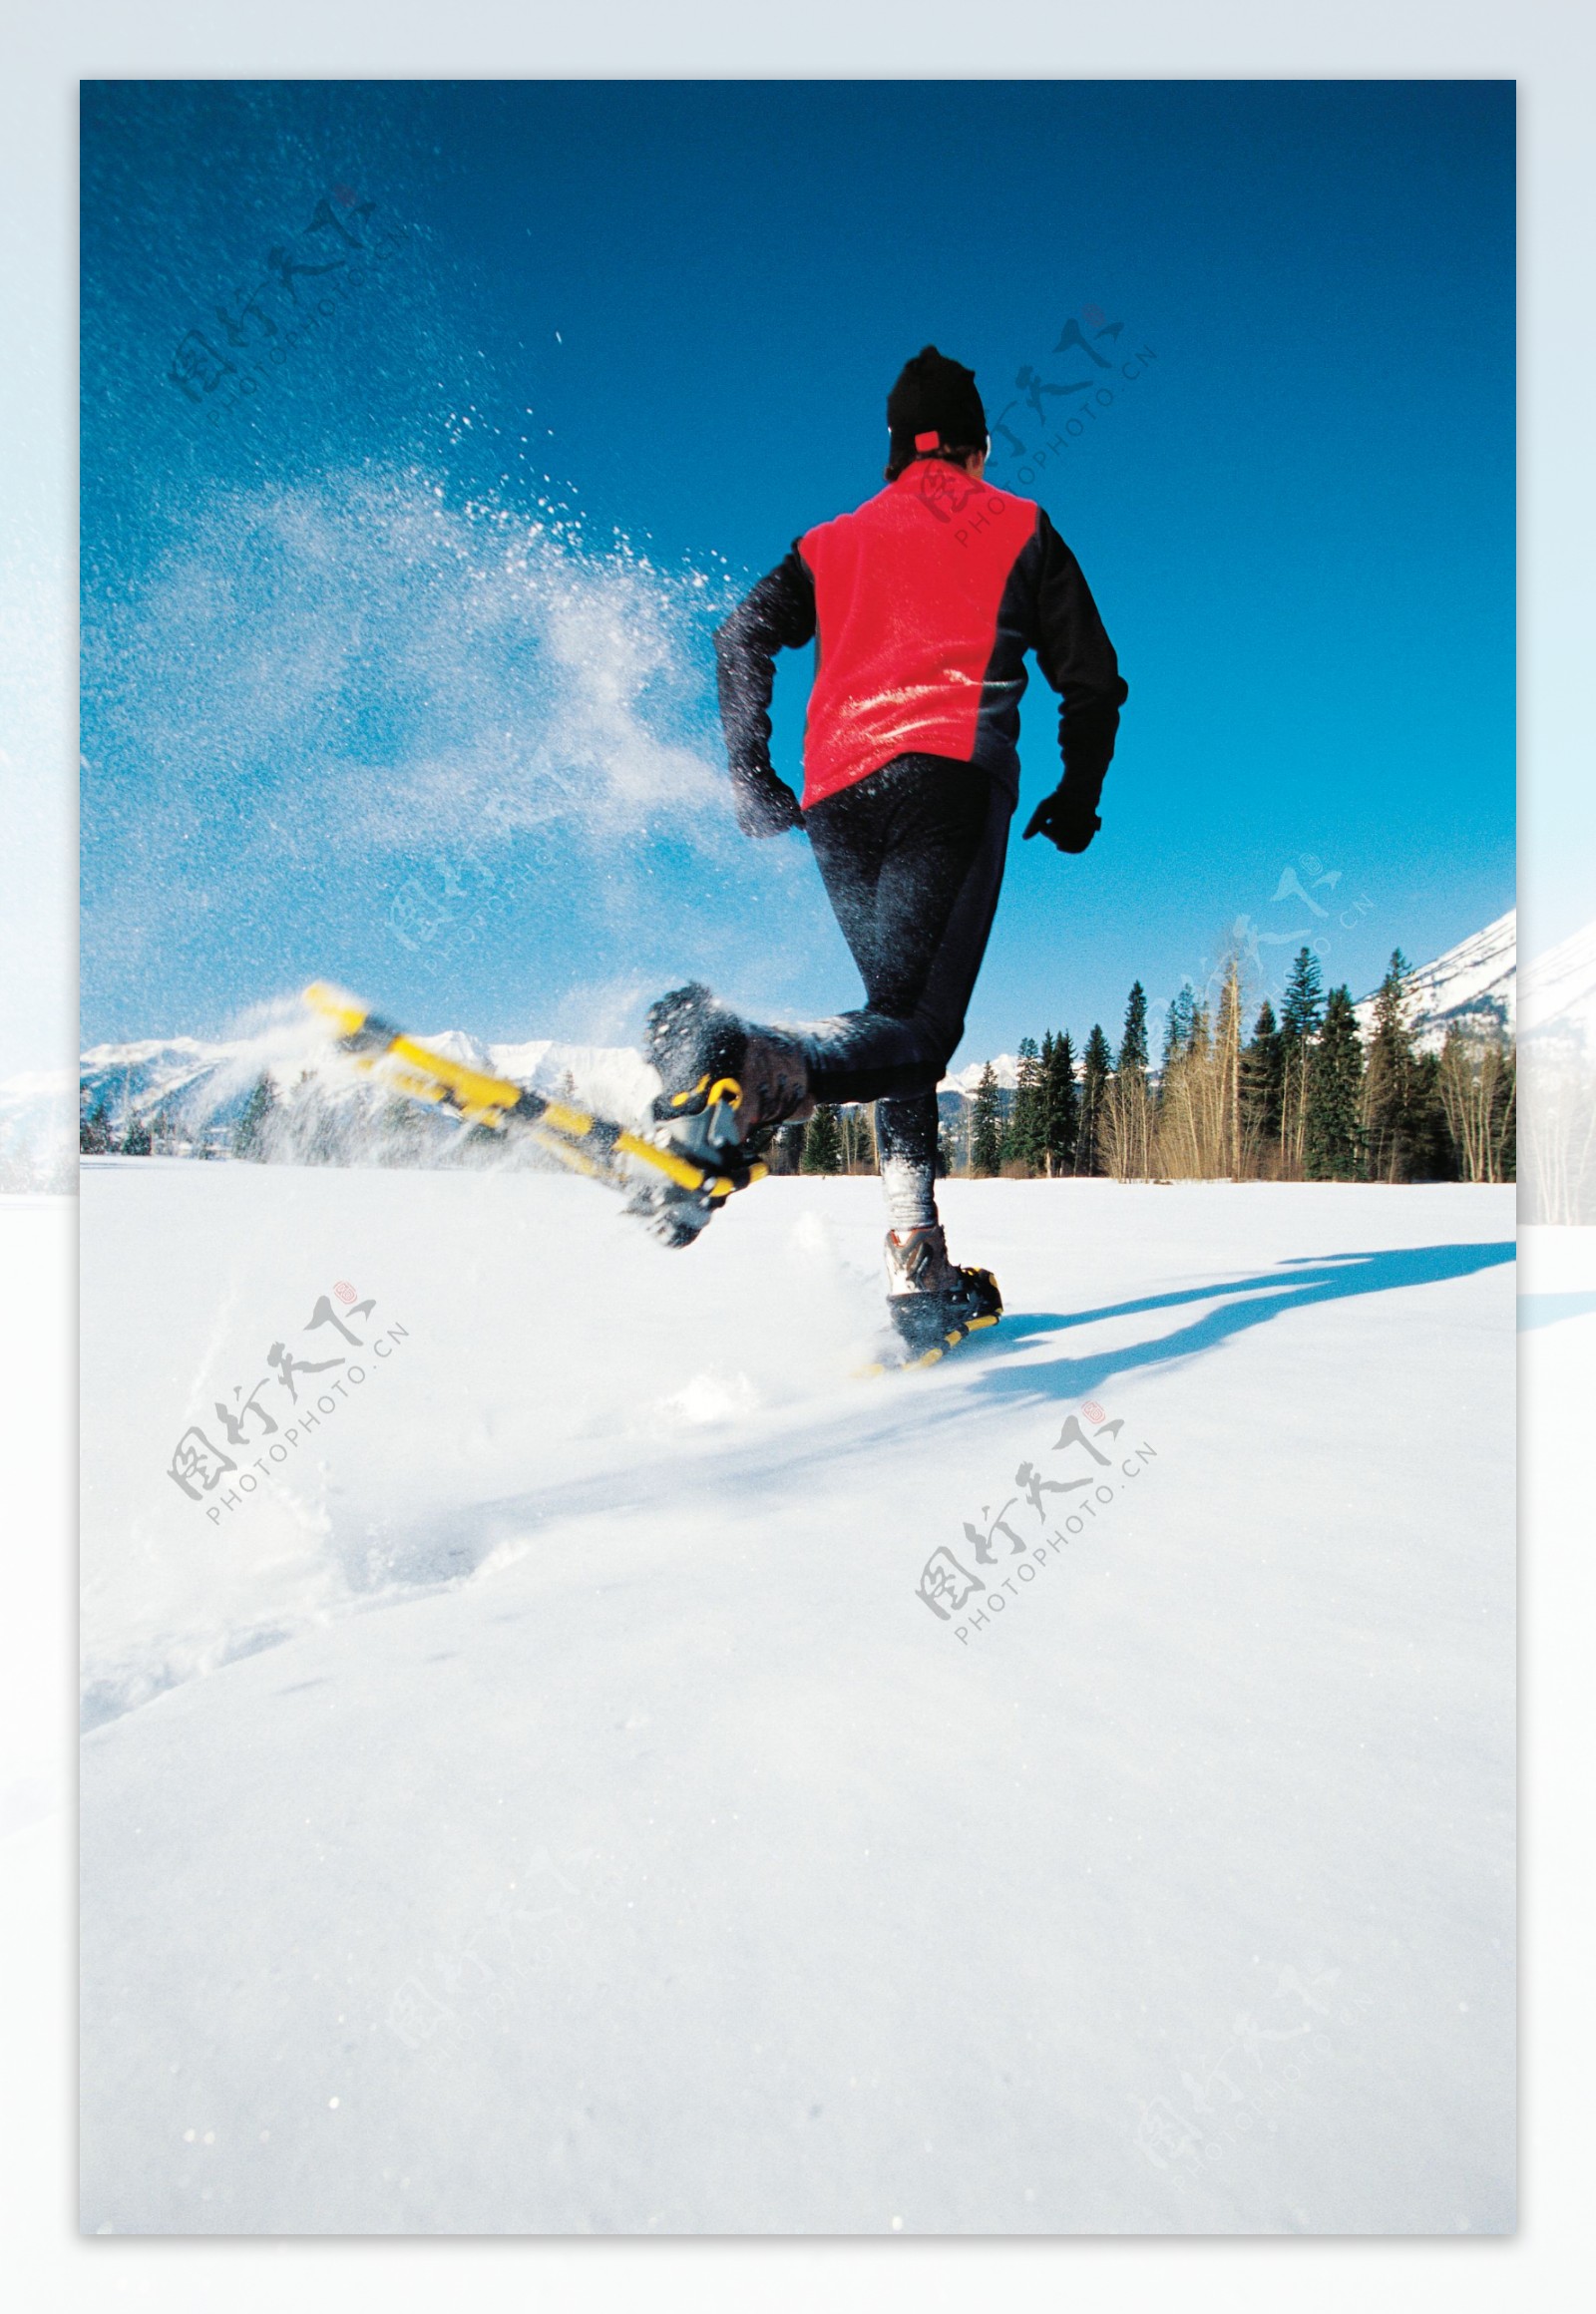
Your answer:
<point x="922" y="605"/>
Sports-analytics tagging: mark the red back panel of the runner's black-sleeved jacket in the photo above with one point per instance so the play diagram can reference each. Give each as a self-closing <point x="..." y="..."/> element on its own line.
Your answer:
<point x="906" y="605"/>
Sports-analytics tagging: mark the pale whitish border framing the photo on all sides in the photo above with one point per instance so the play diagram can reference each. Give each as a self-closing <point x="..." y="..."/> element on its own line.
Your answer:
<point x="1549" y="47"/>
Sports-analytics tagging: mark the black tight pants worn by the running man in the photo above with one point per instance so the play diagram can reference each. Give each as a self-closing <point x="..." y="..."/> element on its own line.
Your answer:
<point x="912" y="860"/>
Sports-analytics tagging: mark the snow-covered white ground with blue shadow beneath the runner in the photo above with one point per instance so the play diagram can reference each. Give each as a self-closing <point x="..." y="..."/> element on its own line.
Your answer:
<point x="552" y="1801"/>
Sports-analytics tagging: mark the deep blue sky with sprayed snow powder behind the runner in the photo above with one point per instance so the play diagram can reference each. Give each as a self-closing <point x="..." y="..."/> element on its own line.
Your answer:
<point x="323" y="732"/>
